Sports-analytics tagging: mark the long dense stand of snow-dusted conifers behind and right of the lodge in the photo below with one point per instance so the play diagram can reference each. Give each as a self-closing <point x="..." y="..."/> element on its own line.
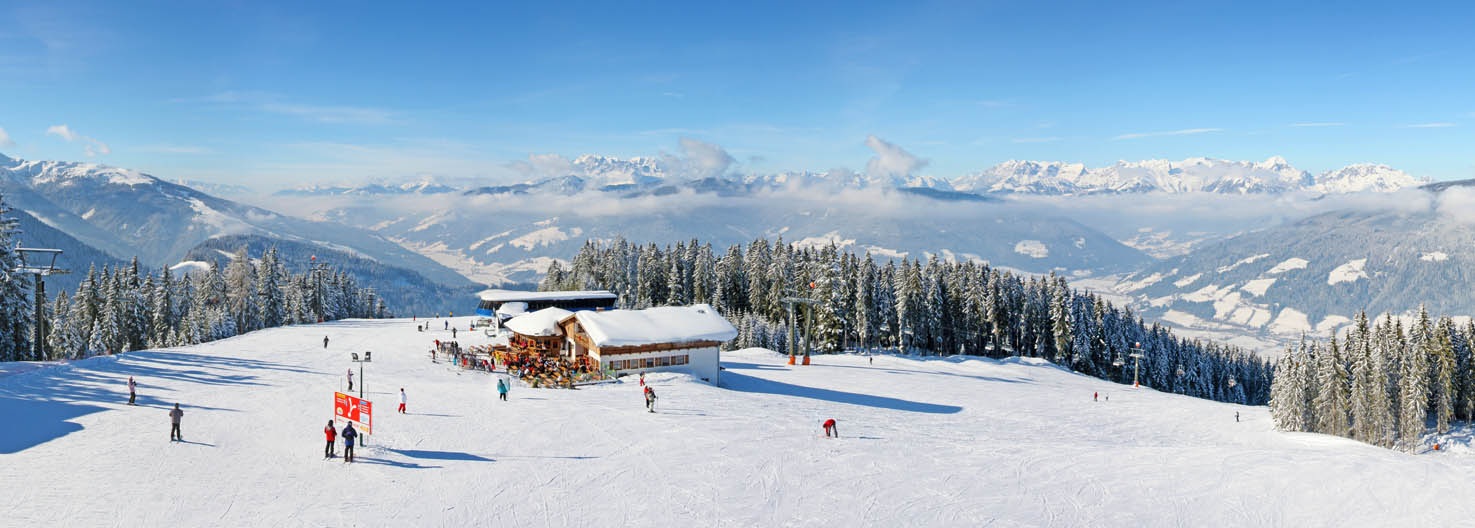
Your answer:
<point x="933" y="308"/>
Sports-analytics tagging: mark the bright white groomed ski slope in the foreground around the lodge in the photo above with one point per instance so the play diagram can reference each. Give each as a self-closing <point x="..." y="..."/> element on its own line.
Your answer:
<point x="927" y="443"/>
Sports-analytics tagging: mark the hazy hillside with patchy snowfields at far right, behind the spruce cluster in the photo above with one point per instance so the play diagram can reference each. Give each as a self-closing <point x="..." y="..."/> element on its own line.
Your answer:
<point x="1316" y="274"/>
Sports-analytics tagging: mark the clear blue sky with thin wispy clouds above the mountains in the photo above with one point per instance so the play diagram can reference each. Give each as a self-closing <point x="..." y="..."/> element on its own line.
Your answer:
<point x="277" y="95"/>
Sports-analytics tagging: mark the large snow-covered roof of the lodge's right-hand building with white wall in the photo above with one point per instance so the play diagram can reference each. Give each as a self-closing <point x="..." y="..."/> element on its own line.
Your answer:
<point x="664" y="325"/>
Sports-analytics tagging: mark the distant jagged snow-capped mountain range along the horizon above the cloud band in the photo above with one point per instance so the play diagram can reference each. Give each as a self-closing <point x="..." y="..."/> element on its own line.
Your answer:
<point x="1011" y="178"/>
